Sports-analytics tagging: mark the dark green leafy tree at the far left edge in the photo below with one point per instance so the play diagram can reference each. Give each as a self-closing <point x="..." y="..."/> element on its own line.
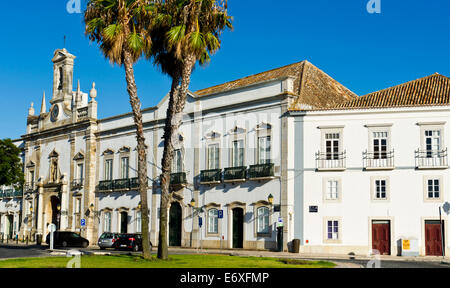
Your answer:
<point x="11" y="170"/>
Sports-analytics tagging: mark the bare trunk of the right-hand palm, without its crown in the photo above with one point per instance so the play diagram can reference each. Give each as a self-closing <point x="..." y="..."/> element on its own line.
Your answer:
<point x="166" y="166"/>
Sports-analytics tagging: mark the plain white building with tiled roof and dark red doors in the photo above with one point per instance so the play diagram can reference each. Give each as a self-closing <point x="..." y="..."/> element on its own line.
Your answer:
<point x="374" y="171"/>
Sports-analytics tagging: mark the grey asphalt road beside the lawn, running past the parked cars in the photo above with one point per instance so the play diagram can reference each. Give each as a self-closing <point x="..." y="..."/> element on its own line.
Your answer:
<point x="11" y="251"/>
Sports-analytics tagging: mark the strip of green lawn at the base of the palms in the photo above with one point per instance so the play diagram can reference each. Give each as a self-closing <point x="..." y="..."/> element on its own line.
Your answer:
<point x="175" y="261"/>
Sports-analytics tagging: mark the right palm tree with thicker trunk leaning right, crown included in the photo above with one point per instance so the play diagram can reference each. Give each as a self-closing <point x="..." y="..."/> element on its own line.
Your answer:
<point x="193" y="29"/>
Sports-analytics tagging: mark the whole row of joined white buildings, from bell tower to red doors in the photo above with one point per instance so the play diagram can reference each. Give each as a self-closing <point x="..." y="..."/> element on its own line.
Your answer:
<point x="291" y="145"/>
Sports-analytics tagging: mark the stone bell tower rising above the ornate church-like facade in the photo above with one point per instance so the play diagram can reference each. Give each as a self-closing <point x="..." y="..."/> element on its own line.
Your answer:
<point x="63" y="63"/>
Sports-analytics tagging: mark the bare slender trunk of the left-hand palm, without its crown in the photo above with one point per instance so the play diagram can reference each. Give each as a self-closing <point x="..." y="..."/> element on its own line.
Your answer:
<point x="141" y="149"/>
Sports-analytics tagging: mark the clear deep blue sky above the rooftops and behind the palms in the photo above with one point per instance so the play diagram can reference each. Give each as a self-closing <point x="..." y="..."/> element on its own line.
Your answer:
<point x="366" y="52"/>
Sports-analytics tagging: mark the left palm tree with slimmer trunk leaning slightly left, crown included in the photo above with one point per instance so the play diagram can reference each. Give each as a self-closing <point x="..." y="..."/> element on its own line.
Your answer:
<point x="117" y="25"/>
